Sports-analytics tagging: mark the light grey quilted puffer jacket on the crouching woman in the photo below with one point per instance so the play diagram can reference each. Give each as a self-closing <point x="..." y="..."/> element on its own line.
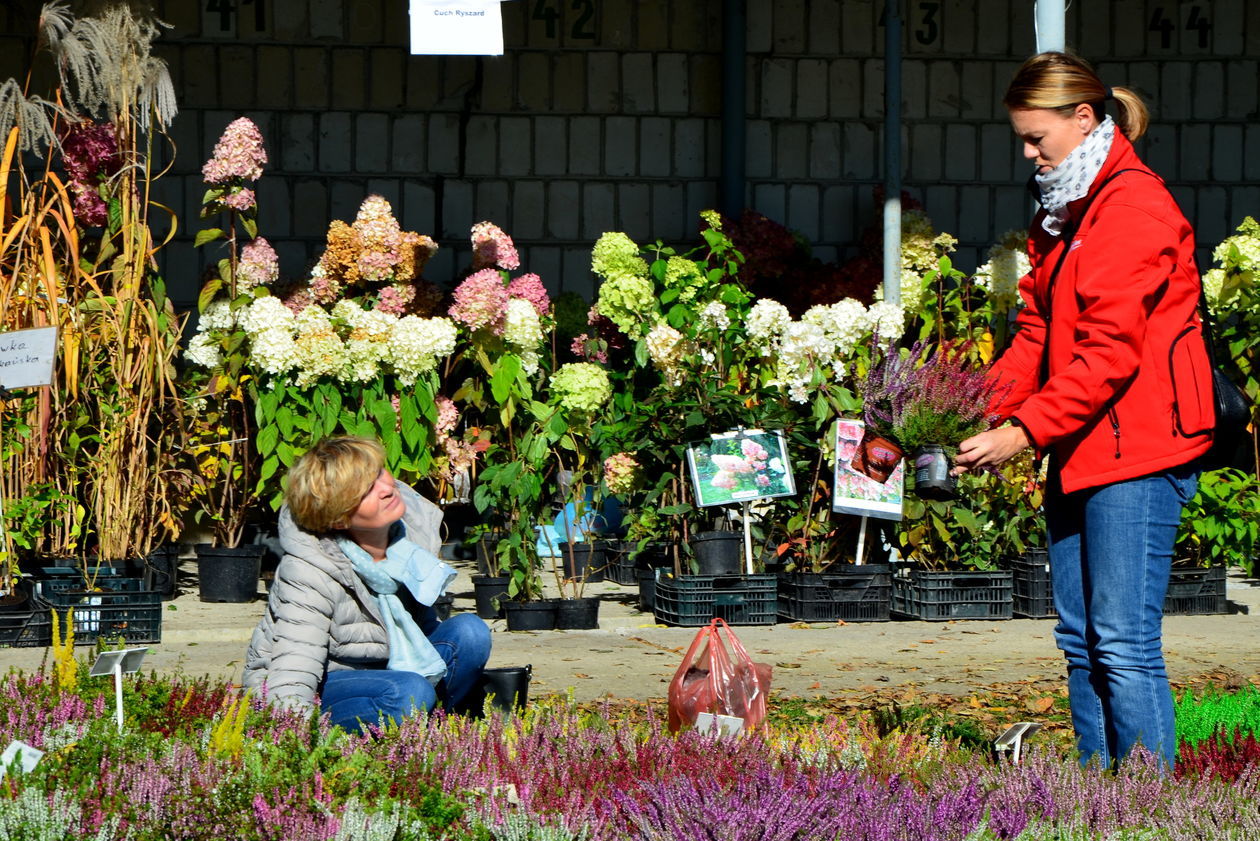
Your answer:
<point x="321" y="616"/>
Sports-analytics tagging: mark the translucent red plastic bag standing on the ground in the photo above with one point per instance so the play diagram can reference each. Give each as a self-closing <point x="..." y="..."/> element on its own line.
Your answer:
<point x="713" y="680"/>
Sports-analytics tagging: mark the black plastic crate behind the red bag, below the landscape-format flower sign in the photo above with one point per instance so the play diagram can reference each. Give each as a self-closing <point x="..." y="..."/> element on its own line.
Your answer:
<point x="692" y="601"/>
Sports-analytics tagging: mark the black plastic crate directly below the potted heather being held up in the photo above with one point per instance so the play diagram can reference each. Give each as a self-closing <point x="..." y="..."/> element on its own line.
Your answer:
<point x="942" y="596"/>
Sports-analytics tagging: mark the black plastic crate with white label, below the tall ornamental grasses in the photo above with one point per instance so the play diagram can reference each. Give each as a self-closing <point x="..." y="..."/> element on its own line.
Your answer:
<point x="122" y="608"/>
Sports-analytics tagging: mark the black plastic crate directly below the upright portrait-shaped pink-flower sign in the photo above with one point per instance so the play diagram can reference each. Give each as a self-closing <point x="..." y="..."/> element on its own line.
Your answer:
<point x="850" y="593"/>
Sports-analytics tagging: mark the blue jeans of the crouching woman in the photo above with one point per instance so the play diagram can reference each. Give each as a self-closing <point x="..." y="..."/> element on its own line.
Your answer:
<point x="358" y="697"/>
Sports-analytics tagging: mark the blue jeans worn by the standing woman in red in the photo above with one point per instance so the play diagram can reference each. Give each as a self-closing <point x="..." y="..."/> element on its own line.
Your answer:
<point x="1111" y="553"/>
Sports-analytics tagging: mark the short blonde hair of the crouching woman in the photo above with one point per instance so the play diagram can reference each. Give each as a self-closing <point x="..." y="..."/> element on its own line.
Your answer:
<point x="328" y="484"/>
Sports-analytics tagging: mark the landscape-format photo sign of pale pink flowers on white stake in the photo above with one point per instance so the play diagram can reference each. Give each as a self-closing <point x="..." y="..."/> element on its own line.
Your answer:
<point x="740" y="466"/>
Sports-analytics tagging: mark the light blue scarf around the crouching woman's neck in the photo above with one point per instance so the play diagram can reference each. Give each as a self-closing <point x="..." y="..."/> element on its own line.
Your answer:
<point x="421" y="573"/>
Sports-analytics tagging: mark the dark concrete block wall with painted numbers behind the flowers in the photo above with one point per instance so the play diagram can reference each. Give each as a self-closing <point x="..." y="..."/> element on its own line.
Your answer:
<point x="604" y="115"/>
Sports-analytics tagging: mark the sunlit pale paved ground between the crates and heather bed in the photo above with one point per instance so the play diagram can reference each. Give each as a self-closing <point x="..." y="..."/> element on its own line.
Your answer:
<point x="631" y="658"/>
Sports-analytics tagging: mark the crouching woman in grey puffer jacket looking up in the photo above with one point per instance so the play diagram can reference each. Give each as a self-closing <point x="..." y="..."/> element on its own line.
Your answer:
<point x="351" y="617"/>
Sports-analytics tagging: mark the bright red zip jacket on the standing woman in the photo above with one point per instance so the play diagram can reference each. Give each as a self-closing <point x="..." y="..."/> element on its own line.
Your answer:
<point x="1130" y="389"/>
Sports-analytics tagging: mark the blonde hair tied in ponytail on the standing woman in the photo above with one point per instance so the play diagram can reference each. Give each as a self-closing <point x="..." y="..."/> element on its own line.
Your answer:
<point x="1062" y="81"/>
